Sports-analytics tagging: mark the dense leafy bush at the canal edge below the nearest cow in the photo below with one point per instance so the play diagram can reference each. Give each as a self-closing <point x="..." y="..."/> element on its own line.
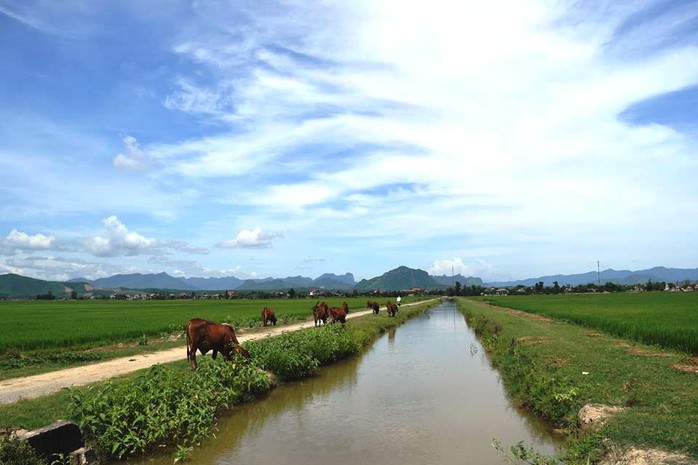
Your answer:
<point x="163" y="407"/>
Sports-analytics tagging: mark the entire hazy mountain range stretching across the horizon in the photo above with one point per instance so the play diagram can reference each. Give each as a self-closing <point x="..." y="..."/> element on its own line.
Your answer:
<point x="401" y="278"/>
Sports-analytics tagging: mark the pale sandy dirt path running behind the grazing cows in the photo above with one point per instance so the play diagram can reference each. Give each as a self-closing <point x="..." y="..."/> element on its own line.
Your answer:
<point x="12" y="390"/>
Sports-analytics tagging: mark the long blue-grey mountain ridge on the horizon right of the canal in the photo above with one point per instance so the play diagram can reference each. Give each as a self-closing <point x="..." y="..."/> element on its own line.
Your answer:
<point x="624" y="277"/>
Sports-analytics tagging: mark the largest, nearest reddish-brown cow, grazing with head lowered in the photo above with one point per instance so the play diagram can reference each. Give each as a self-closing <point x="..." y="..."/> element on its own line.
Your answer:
<point x="205" y="335"/>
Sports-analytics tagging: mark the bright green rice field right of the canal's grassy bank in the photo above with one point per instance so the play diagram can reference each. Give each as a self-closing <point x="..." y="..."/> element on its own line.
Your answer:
<point x="665" y="319"/>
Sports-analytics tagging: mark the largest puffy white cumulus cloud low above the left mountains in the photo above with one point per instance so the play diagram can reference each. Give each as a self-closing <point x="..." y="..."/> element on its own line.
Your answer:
<point x="118" y="240"/>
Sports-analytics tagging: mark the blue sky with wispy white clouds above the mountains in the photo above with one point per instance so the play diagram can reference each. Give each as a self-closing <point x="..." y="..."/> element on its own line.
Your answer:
<point x="502" y="139"/>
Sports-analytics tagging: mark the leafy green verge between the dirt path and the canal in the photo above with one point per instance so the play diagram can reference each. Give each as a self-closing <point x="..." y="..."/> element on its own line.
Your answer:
<point x="169" y="405"/>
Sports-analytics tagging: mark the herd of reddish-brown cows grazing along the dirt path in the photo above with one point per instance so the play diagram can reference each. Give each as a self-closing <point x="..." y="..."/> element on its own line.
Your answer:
<point x="204" y="335"/>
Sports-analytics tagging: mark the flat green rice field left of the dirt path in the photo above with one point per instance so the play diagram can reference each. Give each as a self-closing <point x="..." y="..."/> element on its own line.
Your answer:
<point x="44" y="325"/>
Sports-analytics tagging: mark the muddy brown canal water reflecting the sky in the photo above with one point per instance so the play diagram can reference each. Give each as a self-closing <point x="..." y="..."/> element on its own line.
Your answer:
<point x="423" y="394"/>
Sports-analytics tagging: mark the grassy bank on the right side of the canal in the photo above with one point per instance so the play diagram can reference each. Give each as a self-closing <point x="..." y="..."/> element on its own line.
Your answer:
<point x="553" y="368"/>
